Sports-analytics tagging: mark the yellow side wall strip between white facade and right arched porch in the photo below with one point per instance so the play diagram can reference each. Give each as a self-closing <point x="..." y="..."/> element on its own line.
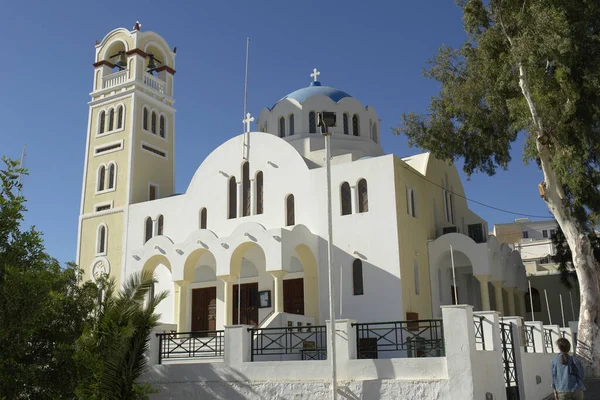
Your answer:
<point x="412" y="242"/>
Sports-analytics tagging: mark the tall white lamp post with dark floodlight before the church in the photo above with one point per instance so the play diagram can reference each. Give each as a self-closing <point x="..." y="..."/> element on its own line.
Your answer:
<point x="325" y="120"/>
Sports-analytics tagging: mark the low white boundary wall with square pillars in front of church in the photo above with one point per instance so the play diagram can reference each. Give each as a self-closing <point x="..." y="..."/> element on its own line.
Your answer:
<point x="464" y="373"/>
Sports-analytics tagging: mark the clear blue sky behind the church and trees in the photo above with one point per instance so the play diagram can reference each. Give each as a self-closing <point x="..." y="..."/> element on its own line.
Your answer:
<point x="373" y="50"/>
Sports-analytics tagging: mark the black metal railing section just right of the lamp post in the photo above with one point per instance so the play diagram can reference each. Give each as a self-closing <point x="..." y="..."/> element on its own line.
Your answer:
<point x="418" y="338"/>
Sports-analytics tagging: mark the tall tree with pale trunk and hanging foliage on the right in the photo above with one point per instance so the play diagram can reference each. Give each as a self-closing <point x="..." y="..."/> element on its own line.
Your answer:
<point x="530" y="68"/>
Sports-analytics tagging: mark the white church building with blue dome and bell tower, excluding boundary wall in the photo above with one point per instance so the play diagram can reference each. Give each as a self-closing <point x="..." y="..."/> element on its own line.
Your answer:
<point x="263" y="223"/>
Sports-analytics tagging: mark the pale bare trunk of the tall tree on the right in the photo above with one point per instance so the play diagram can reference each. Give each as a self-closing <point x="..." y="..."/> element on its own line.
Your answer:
<point x="586" y="266"/>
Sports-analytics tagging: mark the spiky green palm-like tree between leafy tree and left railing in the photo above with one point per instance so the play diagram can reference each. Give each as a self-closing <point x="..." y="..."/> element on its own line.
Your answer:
<point x="112" y="351"/>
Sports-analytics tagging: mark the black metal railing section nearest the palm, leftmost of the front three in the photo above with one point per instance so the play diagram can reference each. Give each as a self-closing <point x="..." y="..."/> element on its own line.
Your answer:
<point x="180" y="345"/>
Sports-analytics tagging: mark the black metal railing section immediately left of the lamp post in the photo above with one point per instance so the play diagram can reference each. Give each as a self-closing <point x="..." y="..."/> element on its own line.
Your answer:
<point x="308" y="342"/>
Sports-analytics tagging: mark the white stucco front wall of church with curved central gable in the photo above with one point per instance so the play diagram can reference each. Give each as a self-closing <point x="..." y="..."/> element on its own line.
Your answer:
<point x="358" y="235"/>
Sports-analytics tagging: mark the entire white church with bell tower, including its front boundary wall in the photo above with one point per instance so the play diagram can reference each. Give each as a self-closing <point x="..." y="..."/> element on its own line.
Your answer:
<point x="427" y="304"/>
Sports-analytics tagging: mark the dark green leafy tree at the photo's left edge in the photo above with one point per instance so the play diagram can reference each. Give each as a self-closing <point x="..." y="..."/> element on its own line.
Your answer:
<point x="43" y="307"/>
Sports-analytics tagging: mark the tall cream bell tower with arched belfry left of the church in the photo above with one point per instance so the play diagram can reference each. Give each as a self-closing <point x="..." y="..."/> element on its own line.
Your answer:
<point x="130" y="146"/>
